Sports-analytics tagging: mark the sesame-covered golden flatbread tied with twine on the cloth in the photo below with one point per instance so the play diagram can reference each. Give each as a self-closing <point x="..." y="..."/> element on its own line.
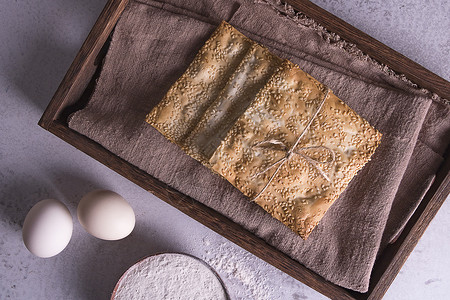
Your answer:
<point x="273" y="131"/>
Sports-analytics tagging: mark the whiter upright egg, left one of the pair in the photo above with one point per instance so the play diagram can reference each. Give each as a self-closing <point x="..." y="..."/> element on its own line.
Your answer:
<point x="47" y="228"/>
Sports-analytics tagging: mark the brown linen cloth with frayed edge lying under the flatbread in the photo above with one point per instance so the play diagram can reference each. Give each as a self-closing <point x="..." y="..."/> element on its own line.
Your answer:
<point x="152" y="46"/>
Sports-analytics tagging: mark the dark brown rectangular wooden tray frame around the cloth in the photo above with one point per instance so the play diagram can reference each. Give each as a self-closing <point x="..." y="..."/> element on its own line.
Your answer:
<point x="79" y="81"/>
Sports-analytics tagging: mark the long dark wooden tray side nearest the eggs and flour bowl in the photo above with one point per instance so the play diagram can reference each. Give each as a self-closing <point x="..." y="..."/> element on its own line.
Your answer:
<point x="201" y="213"/>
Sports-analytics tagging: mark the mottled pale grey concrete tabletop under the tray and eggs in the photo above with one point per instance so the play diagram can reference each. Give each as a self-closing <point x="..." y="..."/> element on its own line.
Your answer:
<point x="39" y="40"/>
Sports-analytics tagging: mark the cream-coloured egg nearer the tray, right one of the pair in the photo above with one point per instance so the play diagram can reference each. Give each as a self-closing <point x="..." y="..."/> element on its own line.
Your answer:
<point x="106" y="215"/>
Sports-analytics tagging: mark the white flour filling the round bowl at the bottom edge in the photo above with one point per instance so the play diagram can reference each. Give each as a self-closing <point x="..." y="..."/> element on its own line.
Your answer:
<point x="169" y="276"/>
